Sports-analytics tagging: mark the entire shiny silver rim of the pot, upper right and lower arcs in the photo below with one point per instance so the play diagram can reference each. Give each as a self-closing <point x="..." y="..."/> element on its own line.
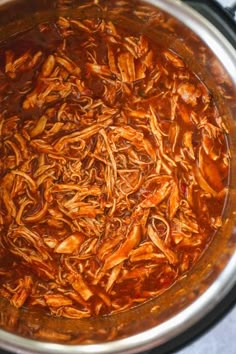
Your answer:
<point x="181" y="322"/>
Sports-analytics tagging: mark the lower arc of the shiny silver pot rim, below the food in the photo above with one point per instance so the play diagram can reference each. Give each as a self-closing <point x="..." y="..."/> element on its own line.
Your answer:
<point x="146" y="340"/>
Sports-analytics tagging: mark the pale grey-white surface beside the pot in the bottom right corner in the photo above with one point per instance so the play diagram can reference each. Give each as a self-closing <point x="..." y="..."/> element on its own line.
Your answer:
<point x="214" y="334"/>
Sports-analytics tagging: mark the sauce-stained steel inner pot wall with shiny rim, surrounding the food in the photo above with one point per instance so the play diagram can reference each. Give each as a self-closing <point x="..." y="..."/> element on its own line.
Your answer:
<point x="155" y="322"/>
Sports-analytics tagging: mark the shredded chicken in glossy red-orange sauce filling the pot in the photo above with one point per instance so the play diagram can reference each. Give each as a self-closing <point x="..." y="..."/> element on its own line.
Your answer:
<point x="113" y="171"/>
